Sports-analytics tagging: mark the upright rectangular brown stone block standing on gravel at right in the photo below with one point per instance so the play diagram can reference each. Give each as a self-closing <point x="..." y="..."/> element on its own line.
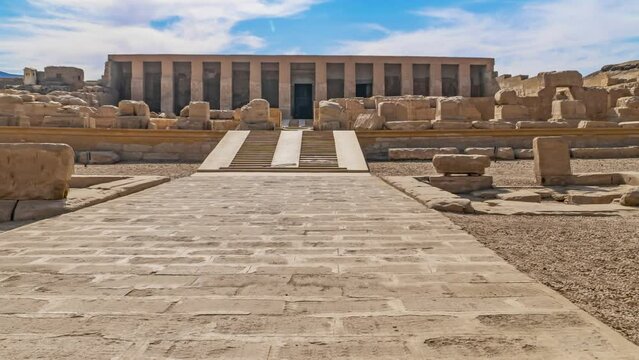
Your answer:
<point x="552" y="158"/>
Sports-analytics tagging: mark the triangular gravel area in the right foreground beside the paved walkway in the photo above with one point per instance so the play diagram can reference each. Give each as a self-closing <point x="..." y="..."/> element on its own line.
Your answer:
<point x="592" y="261"/>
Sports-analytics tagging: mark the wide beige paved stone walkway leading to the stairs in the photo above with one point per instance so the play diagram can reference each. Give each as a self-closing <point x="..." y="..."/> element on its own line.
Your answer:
<point x="280" y="267"/>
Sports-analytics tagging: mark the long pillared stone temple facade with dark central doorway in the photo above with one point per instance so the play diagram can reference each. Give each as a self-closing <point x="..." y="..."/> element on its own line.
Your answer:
<point x="292" y="82"/>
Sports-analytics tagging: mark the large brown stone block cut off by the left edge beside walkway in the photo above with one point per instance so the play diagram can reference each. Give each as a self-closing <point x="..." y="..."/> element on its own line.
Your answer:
<point x="35" y="171"/>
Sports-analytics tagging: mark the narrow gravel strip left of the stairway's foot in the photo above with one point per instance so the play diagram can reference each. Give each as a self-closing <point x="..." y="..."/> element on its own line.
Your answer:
<point x="172" y="170"/>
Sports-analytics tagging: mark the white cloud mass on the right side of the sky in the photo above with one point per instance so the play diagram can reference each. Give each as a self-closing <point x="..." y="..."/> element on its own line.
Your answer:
<point x="547" y="35"/>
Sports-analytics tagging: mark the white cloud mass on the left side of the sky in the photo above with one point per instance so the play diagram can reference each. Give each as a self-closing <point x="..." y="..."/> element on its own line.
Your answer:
<point x="82" y="32"/>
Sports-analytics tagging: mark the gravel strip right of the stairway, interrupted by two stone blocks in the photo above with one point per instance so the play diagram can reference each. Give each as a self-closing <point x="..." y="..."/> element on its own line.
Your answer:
<point x="505" y="173"/>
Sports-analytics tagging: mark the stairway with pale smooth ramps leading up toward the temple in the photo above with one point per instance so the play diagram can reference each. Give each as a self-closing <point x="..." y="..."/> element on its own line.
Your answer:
<point x="287" y="151"/>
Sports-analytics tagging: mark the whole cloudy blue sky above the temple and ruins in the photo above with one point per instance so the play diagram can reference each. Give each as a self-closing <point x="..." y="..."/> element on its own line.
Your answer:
<point x="525" y="37"/>
